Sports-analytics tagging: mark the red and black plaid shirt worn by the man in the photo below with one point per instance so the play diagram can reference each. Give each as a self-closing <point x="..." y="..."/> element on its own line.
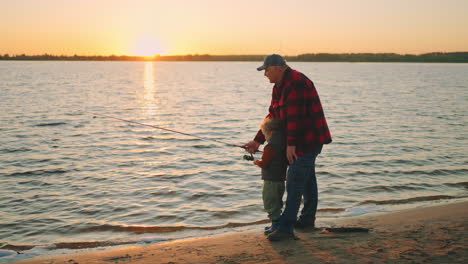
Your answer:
<point x="296" y="101"/>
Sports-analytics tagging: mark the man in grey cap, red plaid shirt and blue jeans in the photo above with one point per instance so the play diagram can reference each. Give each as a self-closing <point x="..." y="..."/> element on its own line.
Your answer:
<point x="295" y="100"/>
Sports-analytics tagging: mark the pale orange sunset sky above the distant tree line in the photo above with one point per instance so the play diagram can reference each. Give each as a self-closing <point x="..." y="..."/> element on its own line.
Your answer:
<point x="177" y="27"/>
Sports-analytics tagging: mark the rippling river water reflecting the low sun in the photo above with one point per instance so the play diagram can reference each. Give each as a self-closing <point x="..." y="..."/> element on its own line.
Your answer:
<point x="67" y="175"/>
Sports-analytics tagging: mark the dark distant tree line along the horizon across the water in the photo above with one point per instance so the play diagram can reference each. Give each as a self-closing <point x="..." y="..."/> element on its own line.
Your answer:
<point x="461" y="57"/>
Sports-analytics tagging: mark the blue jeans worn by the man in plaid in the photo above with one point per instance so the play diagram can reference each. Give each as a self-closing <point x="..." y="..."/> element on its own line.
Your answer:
<point x="300" y="182"/>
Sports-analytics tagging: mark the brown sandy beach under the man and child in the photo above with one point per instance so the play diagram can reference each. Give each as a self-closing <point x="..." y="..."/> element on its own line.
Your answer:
<point x="436" y="234"/>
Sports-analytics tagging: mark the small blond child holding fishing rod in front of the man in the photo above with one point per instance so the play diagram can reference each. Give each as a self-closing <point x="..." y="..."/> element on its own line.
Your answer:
<point x="274" y="165"/>
